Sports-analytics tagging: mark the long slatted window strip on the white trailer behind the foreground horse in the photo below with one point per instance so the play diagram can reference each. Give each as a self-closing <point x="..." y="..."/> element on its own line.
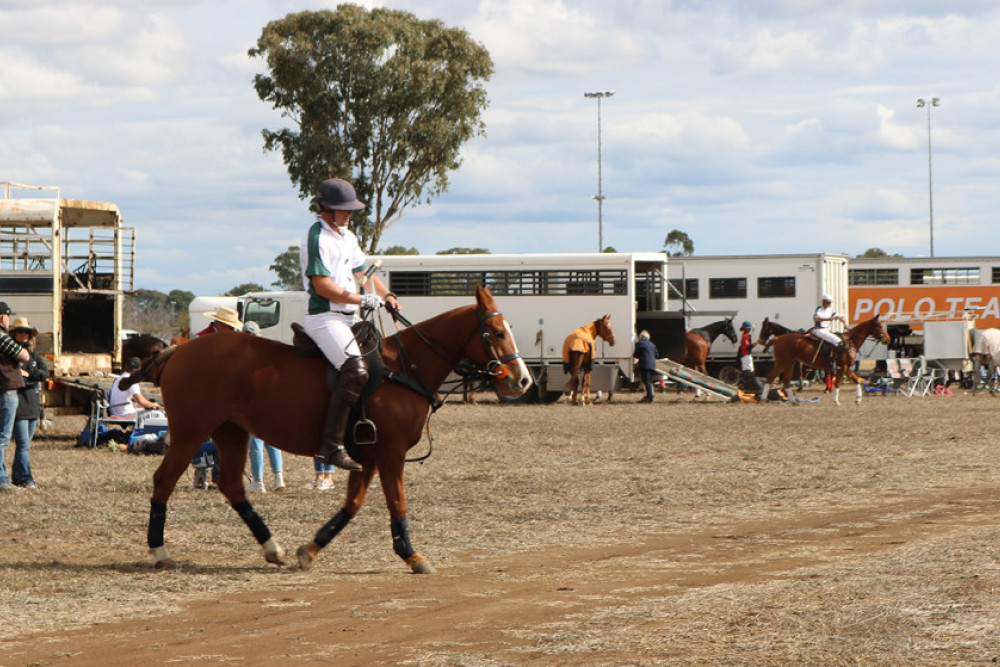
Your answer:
<point x="508" y="283"/>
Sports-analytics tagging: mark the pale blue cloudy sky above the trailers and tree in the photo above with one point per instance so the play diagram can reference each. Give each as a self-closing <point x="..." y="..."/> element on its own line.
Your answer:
<point x="770" y="126"/>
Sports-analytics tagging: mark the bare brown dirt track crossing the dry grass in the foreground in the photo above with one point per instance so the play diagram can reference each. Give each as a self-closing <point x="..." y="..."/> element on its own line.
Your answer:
<point x="490" y="606"/>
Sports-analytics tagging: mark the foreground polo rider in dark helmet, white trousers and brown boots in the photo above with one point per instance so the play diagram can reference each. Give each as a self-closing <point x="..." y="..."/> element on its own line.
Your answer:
<point x="332" y="264"/>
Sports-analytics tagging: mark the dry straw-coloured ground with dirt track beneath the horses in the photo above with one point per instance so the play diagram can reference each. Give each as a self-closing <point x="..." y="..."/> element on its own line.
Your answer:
<point x="684" y="532"/>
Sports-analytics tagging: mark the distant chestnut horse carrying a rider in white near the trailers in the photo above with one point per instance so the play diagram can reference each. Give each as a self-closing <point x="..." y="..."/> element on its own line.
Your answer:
<point x="795" y="347"/>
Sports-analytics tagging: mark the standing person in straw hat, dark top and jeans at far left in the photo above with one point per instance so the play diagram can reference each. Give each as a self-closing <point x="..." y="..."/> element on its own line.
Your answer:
<point x="29" y="408"/>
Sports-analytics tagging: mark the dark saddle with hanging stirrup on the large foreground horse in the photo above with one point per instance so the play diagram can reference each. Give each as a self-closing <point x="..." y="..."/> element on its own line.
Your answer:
<point x="361" y="431"/>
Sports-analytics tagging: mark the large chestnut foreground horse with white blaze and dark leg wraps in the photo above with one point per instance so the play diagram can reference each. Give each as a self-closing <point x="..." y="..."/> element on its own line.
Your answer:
<point x="228" y="385"/>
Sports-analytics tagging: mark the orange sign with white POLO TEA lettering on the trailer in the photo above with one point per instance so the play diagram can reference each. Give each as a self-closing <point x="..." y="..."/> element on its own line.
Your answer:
<point x="924" y="302"/>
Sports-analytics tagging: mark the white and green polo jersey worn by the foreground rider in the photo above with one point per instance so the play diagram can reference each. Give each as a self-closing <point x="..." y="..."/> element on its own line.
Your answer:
<point x="337" y="254"/>
